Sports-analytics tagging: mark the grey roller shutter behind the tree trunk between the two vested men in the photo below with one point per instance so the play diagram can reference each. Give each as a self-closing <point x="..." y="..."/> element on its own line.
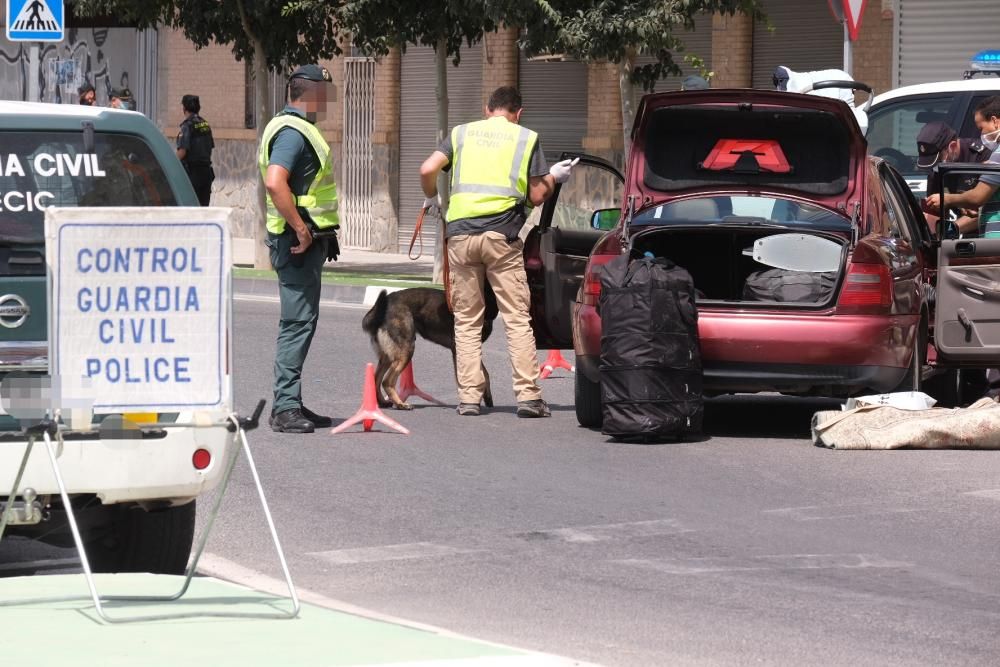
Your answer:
<point x="418" y="121"/>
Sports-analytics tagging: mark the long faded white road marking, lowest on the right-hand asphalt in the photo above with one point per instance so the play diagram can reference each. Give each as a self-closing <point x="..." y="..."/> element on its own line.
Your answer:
<point x="777" y="562"/>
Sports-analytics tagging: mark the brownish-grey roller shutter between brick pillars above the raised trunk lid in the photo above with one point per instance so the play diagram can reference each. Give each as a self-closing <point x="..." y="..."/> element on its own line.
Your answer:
<point x="806" y="37"/>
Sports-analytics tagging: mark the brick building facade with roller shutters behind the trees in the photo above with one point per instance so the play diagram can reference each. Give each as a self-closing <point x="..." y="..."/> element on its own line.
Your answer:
<point x="381" y="123"/>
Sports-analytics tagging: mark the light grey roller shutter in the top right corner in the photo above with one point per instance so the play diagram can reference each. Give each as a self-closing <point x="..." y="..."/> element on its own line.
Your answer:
<point x="937" y="39"/>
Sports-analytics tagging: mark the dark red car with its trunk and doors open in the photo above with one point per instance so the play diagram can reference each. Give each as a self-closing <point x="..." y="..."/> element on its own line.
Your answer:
<point x="730" y="183"/>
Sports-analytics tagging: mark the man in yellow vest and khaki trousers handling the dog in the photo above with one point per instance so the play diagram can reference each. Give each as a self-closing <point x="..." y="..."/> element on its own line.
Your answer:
<point x="498" y="171"/>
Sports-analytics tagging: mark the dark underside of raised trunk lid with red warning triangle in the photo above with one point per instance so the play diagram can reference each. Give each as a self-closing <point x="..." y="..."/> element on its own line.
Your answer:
<point x="813" y="148"/>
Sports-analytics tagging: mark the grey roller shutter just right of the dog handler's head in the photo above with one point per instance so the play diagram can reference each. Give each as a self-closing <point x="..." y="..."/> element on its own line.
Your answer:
<point x="555" y="103"/>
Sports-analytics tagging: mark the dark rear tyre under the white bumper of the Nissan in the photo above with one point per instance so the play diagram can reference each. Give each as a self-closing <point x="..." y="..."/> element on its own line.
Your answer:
<point x="135" y="540"/>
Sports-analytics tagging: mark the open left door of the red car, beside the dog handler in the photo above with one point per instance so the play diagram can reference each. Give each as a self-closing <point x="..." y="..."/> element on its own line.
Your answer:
<point x="557" y="248"/>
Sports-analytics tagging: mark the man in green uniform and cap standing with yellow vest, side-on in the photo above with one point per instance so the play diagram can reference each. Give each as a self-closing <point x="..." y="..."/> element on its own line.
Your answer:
<point x="297" y="167"/>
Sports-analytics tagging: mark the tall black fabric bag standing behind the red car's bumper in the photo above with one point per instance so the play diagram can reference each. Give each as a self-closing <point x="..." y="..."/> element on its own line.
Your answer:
<point x="651" y="381"/>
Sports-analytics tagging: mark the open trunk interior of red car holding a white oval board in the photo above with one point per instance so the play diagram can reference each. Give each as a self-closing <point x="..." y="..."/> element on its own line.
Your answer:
<point x="792" y="268"/>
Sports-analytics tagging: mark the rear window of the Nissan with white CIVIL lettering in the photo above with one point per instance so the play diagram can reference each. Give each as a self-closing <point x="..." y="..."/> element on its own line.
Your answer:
<point x="42" y="169"/>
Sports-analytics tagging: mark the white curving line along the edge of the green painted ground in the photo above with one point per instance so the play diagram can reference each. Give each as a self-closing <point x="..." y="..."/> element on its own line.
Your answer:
<point x="227" y="570"/>
